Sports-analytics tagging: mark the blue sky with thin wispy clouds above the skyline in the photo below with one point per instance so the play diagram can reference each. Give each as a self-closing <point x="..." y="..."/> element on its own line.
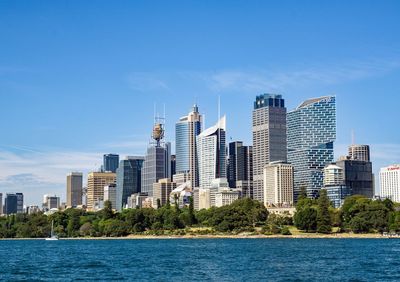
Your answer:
<point x="80" y="78"/>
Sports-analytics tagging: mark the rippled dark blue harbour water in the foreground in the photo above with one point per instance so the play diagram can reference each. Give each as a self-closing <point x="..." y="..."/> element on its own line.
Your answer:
<point x="202" y="259"/>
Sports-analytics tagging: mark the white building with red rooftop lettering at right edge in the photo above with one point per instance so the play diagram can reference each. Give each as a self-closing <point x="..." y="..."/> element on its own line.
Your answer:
<point x="390" y="182"/>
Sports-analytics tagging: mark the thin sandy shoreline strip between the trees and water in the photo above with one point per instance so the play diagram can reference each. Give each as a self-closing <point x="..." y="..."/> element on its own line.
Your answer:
<point x="222" y="236"/>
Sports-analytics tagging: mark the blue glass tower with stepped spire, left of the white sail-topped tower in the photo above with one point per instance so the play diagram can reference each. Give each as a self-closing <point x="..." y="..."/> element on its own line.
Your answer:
<point x="186" y="131"/>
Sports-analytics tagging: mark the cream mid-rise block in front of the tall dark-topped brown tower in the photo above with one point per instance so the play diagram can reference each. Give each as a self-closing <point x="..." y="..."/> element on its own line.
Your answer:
<point x="278" y="184"/>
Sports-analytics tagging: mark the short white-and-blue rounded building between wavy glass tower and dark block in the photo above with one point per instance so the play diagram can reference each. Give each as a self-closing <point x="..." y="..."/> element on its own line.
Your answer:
<point x="335" y="185"/>
